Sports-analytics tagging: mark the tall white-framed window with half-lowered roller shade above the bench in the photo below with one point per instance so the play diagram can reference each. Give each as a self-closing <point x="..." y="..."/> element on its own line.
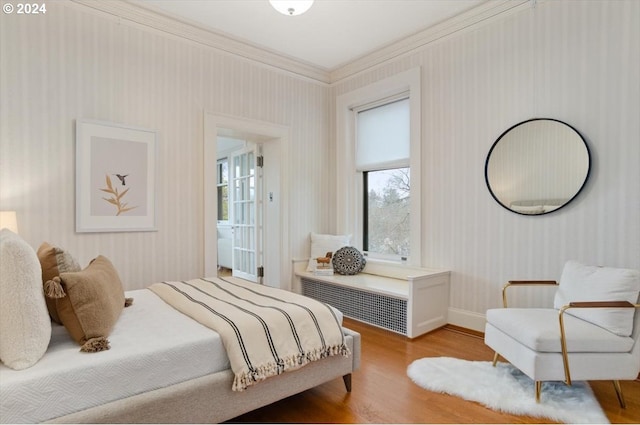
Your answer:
<point x="378" y="167"/>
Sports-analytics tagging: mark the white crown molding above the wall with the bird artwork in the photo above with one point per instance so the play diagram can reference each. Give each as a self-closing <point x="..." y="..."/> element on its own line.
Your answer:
<point x="125" y="10"/>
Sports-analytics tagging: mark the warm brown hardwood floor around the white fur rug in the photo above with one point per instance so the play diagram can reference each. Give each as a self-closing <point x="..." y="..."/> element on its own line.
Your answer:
<point x="382" y="392"/>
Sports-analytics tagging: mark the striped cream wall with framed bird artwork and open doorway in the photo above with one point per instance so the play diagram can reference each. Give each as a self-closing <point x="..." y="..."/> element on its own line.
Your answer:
<point x="75" y="62"/>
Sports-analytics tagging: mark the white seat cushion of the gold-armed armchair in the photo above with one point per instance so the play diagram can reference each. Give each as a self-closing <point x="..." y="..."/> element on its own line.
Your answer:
<point x="539" y="329"/>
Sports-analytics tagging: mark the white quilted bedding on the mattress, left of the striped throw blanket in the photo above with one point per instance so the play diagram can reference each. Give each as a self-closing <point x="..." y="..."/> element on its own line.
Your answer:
<point x="152" y="346"/>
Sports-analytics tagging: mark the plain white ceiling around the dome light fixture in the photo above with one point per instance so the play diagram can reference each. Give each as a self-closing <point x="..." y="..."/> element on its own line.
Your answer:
<point x="331" y="34"/>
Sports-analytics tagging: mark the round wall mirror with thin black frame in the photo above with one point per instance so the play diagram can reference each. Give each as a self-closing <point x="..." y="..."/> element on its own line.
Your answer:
<point x="537" y="166"/>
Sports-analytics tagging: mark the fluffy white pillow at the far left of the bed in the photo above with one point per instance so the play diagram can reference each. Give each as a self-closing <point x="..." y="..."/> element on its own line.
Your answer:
<point x="25" y="326"/>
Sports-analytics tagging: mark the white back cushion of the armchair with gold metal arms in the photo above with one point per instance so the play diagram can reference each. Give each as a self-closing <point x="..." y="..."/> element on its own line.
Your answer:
<point x="591" y="283"/>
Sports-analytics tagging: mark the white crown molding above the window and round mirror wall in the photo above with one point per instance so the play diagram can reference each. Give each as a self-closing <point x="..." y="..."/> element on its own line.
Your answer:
<point x="484" y="12"/>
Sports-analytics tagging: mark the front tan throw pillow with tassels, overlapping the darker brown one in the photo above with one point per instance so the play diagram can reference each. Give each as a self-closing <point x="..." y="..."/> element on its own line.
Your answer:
<point x="91" y="304"/>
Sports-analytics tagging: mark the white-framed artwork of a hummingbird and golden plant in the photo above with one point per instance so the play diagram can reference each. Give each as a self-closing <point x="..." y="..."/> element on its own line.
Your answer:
<point x="115" y="178"/>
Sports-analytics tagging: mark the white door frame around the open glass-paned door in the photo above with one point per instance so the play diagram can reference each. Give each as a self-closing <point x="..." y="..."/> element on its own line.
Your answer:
<point x="276" y="213"/>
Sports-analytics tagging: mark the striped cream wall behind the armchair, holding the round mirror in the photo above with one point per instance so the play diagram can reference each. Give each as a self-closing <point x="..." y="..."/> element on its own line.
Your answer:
<point x="576" y="61"/>
